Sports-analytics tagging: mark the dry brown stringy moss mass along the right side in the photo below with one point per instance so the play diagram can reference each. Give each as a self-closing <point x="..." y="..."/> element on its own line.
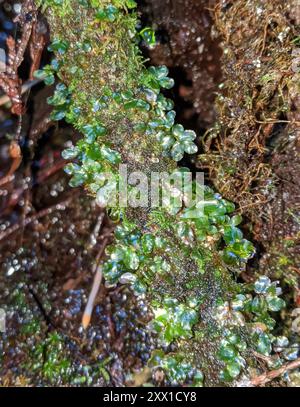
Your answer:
<point x="252" y="153"/>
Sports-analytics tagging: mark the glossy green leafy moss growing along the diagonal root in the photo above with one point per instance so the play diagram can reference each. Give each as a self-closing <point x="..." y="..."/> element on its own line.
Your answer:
<point x="108" y="94"/>
